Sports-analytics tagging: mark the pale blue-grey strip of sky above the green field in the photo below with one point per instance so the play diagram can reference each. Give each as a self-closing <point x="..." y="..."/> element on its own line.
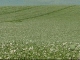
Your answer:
<point x="38" y="2"/>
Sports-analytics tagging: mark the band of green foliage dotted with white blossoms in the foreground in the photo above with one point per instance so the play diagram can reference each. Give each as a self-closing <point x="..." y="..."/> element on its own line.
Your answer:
<point x="31" y="50"/>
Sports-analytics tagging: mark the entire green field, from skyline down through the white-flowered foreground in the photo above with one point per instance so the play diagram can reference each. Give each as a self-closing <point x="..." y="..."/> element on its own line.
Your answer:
<point x="40" y="32"/>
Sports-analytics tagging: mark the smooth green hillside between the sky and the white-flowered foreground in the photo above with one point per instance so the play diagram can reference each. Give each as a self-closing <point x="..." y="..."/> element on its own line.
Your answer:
<point x="40" y="23"/>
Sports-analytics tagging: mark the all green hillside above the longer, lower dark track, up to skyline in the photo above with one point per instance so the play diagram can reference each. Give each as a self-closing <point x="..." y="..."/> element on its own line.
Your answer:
<point x="21" y="13"/>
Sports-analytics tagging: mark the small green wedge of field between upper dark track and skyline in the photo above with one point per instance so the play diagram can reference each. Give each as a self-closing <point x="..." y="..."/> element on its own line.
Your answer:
<point x="13" y="10"/>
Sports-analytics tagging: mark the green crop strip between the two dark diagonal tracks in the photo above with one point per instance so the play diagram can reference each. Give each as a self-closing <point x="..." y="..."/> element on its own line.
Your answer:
<point x="34" y="12"/>
